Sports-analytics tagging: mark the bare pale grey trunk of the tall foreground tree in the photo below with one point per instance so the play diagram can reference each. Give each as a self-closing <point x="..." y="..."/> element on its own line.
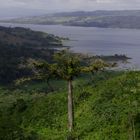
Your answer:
<point x="70" y="107"/>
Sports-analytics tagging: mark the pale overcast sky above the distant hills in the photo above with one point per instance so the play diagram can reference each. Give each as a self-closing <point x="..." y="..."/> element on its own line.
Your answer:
<point x="13" y="8"/>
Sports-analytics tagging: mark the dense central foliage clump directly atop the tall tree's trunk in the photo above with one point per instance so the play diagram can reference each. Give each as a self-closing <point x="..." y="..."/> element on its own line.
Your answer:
<point x="68" y="64"/>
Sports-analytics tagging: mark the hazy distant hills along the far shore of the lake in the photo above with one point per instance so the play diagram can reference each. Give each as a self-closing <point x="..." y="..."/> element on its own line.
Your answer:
<point x="100" y="18"/>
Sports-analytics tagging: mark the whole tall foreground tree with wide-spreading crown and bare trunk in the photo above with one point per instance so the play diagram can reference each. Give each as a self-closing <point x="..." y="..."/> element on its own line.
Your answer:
<point x="66" y="66"/>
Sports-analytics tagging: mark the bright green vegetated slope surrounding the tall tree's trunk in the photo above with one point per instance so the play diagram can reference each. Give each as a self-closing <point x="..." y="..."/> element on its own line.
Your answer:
<point x="107" y="109"/>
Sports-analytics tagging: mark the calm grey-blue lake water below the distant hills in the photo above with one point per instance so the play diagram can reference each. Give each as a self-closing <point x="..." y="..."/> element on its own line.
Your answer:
<point x="99" y="41"/>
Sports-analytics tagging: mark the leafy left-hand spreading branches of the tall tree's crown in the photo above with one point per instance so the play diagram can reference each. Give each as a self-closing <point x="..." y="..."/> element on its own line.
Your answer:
<point x="41" y="70"/>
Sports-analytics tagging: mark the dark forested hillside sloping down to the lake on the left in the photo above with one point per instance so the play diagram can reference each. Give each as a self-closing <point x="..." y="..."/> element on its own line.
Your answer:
<point x="19" y="44"/>
